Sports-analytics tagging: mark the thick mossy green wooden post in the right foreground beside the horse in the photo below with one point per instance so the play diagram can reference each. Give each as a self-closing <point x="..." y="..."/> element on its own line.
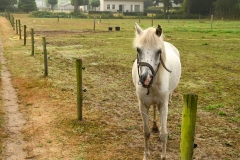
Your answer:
<point x="188" y="126"/>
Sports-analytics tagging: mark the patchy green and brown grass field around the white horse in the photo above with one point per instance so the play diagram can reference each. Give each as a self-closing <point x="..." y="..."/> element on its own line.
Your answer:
<point x="112" y="126"/>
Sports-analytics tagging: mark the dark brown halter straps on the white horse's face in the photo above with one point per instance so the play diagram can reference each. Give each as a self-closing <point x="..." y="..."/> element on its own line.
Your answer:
<point x="139" y="64"/>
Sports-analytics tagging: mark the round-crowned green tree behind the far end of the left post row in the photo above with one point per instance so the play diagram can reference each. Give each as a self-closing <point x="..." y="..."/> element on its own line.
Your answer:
<point x="27" y="5"/>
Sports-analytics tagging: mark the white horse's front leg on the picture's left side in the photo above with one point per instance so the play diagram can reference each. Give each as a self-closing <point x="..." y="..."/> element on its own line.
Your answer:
<point x="144" y="112"/>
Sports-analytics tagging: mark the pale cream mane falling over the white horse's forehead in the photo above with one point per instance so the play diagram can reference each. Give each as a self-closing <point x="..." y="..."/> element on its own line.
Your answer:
<point x="148" y="38"/>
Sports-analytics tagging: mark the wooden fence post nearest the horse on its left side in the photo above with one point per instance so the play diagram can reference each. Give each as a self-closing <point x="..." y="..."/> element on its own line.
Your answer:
<point x="79" y="88"/>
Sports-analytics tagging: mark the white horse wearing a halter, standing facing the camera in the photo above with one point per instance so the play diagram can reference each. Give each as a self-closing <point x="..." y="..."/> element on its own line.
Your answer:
<point x="156" y="73"/>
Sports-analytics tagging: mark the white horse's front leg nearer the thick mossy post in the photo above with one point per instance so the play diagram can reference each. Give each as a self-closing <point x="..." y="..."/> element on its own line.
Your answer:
<point x="163" y="131"/>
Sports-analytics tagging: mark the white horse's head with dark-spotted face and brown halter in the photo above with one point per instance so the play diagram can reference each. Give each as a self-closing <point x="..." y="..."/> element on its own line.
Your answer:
<point x="149" y="45"/>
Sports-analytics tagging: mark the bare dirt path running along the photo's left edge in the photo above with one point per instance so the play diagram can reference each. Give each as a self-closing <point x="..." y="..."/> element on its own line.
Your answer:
<point x="14" y="121"/>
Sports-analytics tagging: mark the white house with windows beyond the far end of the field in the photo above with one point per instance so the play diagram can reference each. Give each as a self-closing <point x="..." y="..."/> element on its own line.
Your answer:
<point x="122" y="5"/>
